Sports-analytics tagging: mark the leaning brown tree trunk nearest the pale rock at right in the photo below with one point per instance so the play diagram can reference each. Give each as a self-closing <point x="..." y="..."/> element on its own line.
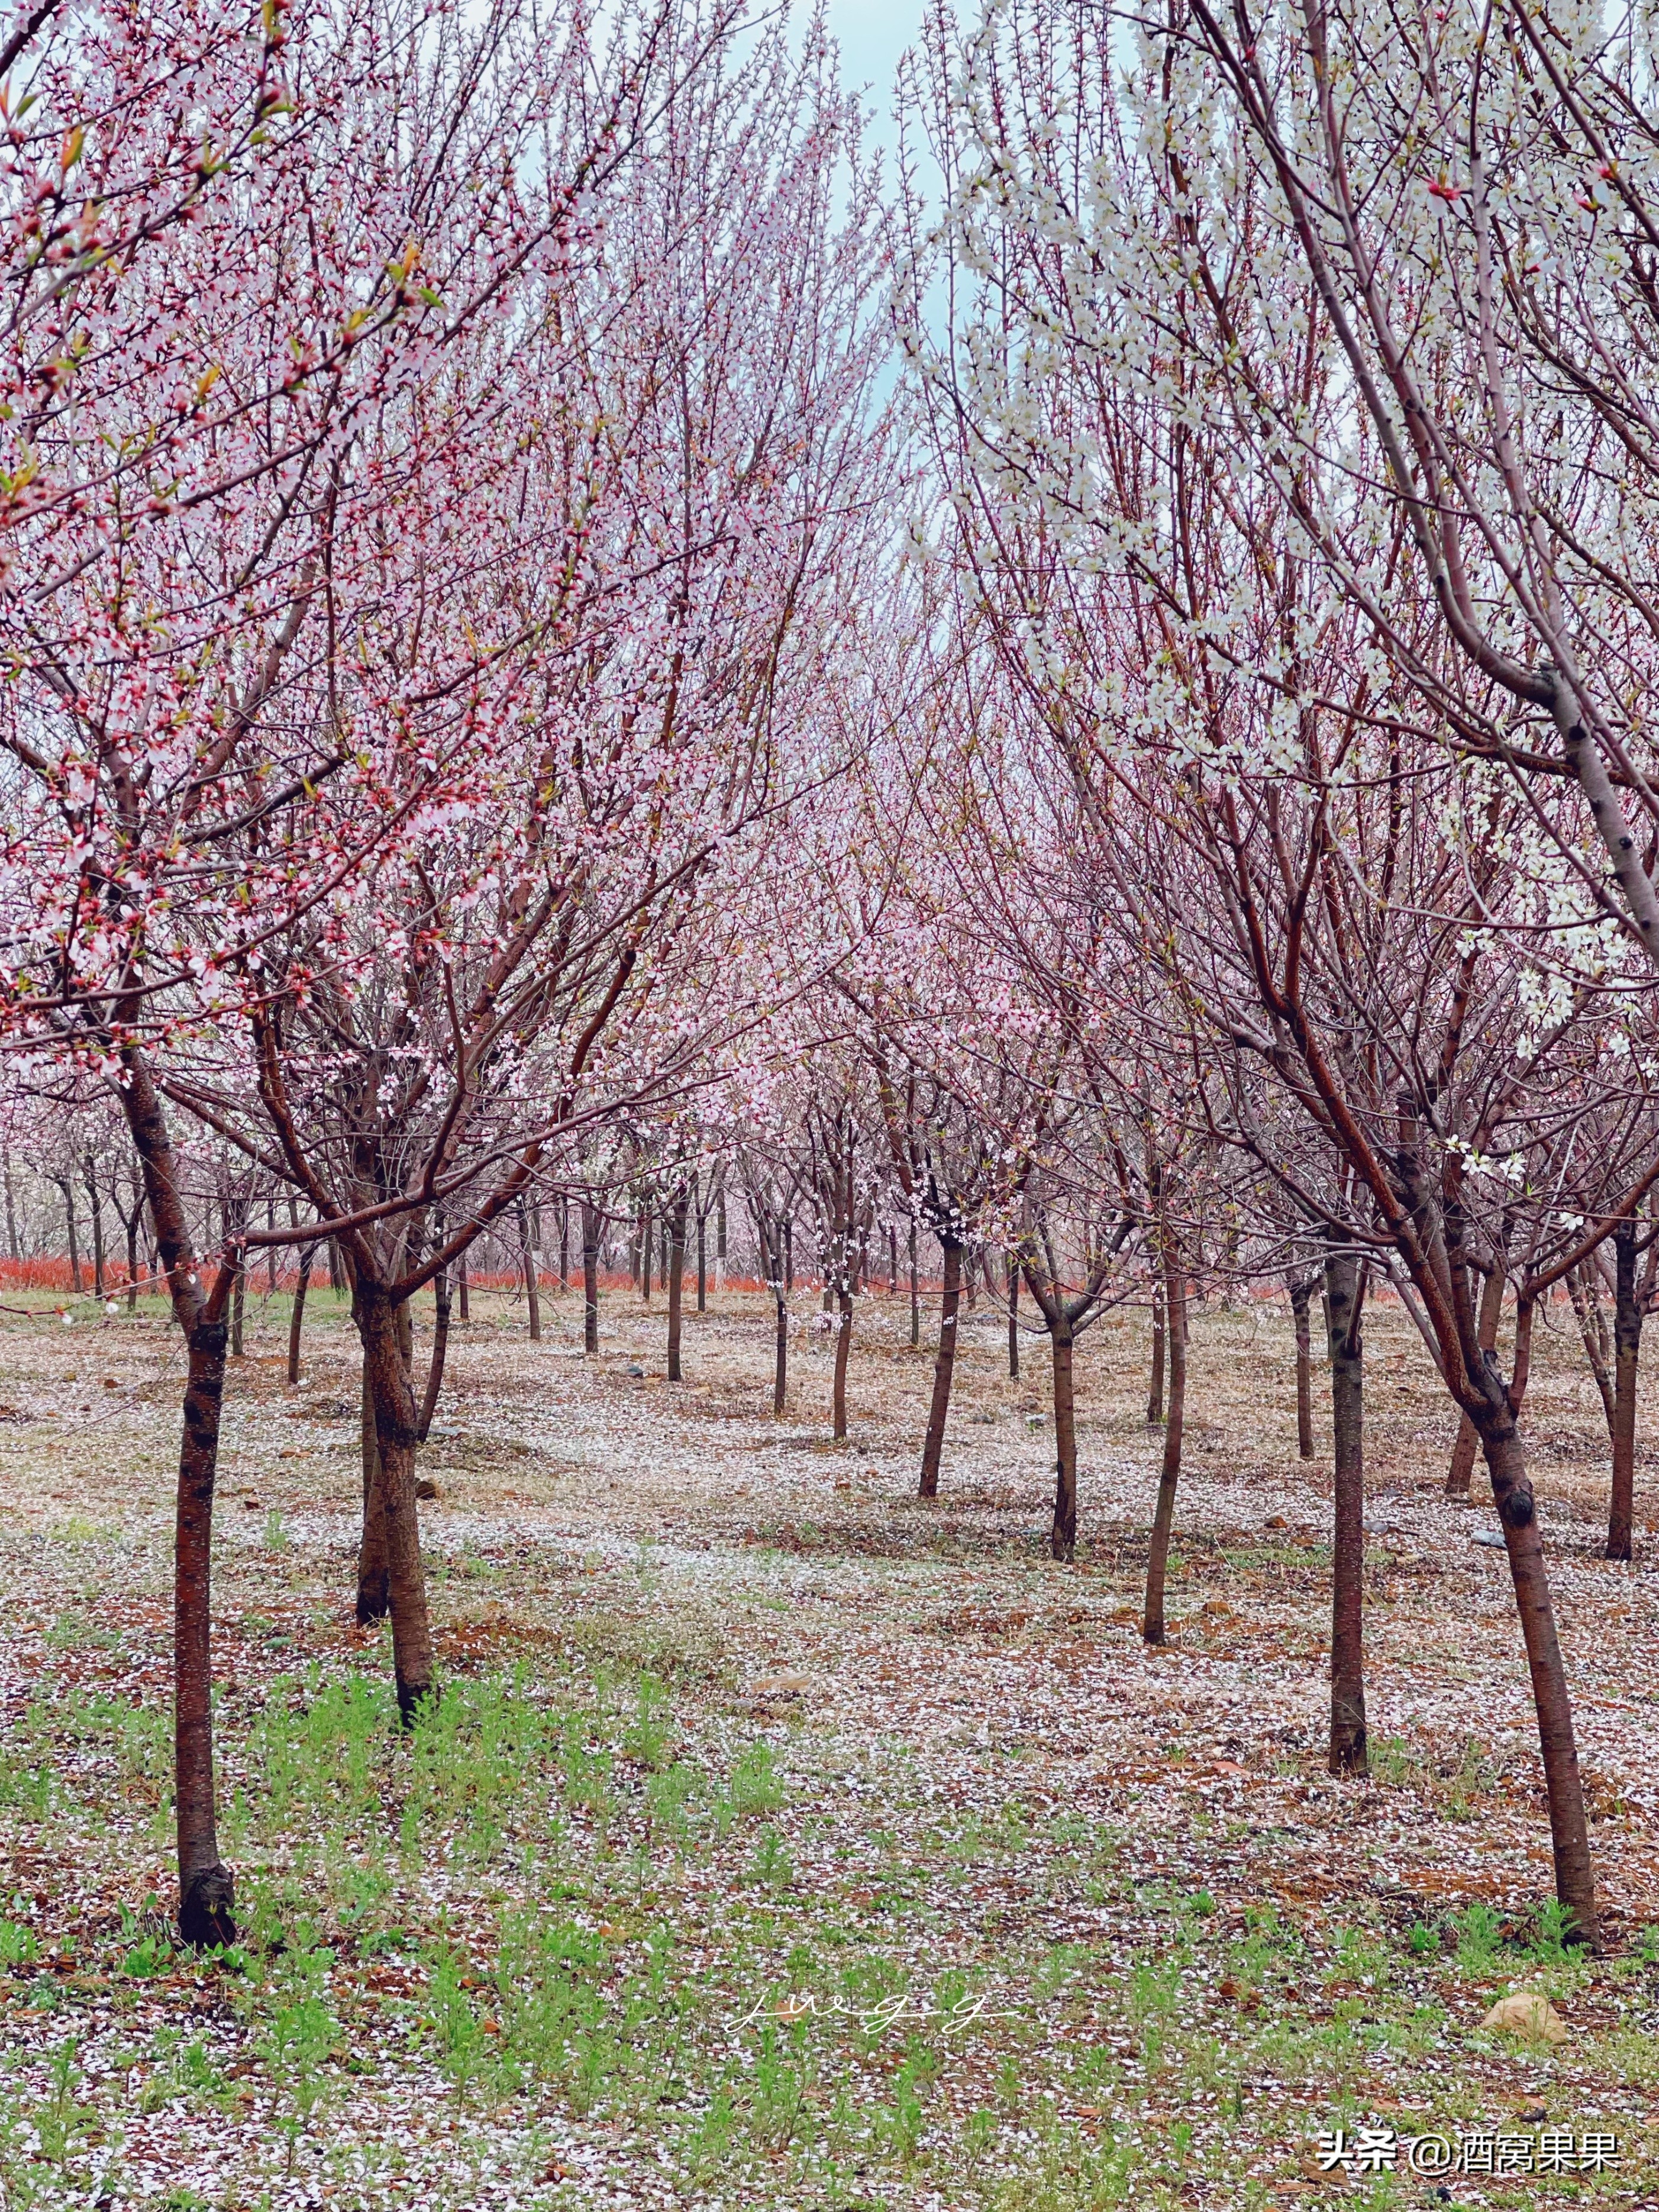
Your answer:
<point x="1516" y="1512"/>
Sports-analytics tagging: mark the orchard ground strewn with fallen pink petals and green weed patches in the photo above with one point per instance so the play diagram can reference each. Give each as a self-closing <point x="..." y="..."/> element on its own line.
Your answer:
<point x="786" y="1841"/>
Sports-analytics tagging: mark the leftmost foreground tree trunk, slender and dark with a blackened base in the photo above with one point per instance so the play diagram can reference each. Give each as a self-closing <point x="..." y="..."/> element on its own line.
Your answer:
<point x="205" y="1881"/>
